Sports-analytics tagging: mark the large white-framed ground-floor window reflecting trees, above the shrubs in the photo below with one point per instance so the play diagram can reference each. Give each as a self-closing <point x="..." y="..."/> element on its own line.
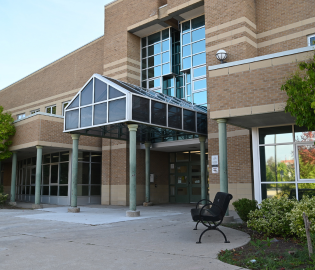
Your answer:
<point x="287" y="162"/>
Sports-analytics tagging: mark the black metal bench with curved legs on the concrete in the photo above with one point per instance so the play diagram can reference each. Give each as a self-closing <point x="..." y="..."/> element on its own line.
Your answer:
<point x="214" y="214"/>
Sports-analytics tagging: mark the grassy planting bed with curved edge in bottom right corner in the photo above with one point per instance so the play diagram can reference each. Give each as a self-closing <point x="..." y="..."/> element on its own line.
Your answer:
<point x="268" y="252"/>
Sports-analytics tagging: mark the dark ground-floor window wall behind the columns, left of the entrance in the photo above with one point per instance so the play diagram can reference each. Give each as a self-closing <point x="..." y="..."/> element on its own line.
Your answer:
<point x="56" y="178"/>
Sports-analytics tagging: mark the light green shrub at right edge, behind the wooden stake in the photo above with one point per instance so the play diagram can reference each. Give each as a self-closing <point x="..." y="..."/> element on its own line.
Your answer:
<point x="306" y="205"/>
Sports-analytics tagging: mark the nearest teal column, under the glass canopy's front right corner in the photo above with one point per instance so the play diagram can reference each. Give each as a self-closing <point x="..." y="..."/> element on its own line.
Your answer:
<point x="133" y="171"/>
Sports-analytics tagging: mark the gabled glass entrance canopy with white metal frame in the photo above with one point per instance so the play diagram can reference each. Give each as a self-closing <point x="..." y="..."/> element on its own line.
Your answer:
<point x="105" y="106"/>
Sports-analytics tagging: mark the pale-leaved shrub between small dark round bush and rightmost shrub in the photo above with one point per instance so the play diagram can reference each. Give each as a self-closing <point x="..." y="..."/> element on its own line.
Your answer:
<point x="271" y="218"/>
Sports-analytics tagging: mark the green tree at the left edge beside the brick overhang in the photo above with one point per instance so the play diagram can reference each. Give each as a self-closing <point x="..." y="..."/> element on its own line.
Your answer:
<point x="7" y="130"/>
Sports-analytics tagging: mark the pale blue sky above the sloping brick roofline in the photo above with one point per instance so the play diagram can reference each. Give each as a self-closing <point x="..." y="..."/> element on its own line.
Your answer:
<point x="34" y="33"/>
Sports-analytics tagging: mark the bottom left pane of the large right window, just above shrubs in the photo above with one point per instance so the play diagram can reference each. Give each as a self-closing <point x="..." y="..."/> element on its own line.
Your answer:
<point x="277" y="190"/>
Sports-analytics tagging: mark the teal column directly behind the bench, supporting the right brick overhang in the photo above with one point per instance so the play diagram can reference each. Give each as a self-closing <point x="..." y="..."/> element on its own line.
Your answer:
<point x="223" y="169"/>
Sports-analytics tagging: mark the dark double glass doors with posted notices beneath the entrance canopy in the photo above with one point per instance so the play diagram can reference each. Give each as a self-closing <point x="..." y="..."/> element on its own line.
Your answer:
<point x="187" y="182"/>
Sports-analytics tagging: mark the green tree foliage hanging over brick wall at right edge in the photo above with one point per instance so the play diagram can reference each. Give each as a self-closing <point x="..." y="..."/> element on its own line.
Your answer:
<point x="300" y="88"/>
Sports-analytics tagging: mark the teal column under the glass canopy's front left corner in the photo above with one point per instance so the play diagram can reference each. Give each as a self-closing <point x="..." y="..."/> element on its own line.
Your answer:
<point x="74" y="173"/>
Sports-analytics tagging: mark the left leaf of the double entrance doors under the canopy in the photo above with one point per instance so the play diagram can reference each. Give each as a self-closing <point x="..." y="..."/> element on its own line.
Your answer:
<point x="182" y="182"/>
